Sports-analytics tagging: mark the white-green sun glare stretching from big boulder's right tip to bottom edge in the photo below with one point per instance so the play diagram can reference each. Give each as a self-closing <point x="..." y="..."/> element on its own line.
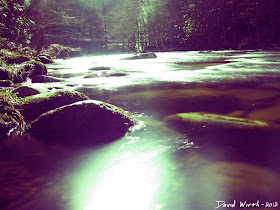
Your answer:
<point x="127" y="174"/>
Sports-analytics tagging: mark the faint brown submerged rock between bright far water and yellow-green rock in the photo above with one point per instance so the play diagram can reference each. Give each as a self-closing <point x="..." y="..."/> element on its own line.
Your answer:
<point x="173" y="101"/>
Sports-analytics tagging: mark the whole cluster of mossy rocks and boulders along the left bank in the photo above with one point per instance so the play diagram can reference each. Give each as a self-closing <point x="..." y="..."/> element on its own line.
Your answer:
<point x="51" y="114"/>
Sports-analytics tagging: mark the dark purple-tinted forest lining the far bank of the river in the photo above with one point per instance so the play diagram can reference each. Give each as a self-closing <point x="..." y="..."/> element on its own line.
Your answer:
<point x="141" y="25"/>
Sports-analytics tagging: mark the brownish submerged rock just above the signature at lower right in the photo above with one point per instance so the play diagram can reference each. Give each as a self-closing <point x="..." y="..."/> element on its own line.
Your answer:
<point x="234" y="181"/>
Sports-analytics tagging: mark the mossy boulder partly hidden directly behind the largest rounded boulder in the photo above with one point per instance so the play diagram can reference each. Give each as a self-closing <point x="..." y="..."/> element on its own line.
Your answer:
<point x="34" y="106"/>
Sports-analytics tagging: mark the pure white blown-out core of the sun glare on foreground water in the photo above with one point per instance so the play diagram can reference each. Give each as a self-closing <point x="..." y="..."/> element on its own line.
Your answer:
<point x="129" y="184"/>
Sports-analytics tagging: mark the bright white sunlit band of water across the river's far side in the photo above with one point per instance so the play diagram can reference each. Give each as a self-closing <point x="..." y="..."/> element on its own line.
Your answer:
<point x="180" y="67"/>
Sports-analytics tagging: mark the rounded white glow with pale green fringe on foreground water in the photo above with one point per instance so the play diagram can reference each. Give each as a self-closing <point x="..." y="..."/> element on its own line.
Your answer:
<point x="120" y="176"/>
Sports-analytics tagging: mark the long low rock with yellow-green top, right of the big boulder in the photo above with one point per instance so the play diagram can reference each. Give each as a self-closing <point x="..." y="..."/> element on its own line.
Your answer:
<point x="225" y="129"/>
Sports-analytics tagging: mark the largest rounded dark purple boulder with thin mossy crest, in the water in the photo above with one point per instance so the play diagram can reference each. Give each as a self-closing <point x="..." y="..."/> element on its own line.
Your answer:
<point x="83" y="123"/>
